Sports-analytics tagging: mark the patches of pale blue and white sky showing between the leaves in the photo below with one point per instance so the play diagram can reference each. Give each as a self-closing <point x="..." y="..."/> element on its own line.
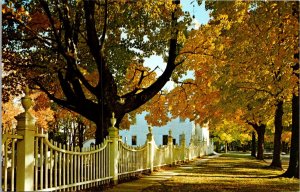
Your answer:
<point x="201" y="17"/>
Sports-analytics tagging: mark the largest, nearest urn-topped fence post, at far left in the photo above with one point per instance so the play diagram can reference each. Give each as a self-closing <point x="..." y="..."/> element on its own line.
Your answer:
<point x="25" y="147"/>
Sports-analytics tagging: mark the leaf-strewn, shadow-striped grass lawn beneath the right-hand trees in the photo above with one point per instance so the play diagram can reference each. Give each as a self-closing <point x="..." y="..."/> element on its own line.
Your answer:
<point x="229" y="172"/>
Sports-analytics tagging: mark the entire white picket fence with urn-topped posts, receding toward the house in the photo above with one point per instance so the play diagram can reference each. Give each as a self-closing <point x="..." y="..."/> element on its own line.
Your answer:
<point x="33" y="163"/>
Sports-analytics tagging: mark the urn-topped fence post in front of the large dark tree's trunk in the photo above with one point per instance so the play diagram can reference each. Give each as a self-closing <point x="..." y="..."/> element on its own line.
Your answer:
<point x="114" y="151"/>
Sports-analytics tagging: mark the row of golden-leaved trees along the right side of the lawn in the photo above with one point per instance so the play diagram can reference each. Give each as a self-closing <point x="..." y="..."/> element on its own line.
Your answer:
<point x="246" y="63"/>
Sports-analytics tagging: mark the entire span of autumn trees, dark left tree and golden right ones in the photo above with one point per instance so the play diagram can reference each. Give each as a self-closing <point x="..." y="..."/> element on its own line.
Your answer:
<point x="87" y="56"/>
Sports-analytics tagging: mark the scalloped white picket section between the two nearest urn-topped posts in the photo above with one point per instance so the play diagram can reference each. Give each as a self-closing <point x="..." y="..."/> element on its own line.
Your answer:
<point x="64" y="167"/>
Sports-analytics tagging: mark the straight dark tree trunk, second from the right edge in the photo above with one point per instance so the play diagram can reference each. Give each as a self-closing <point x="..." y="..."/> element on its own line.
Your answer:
<point x="276" y="161"/>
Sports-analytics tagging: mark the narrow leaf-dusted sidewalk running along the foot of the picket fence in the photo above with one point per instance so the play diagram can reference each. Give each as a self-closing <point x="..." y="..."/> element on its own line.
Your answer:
<point x="157" y="178"/>
